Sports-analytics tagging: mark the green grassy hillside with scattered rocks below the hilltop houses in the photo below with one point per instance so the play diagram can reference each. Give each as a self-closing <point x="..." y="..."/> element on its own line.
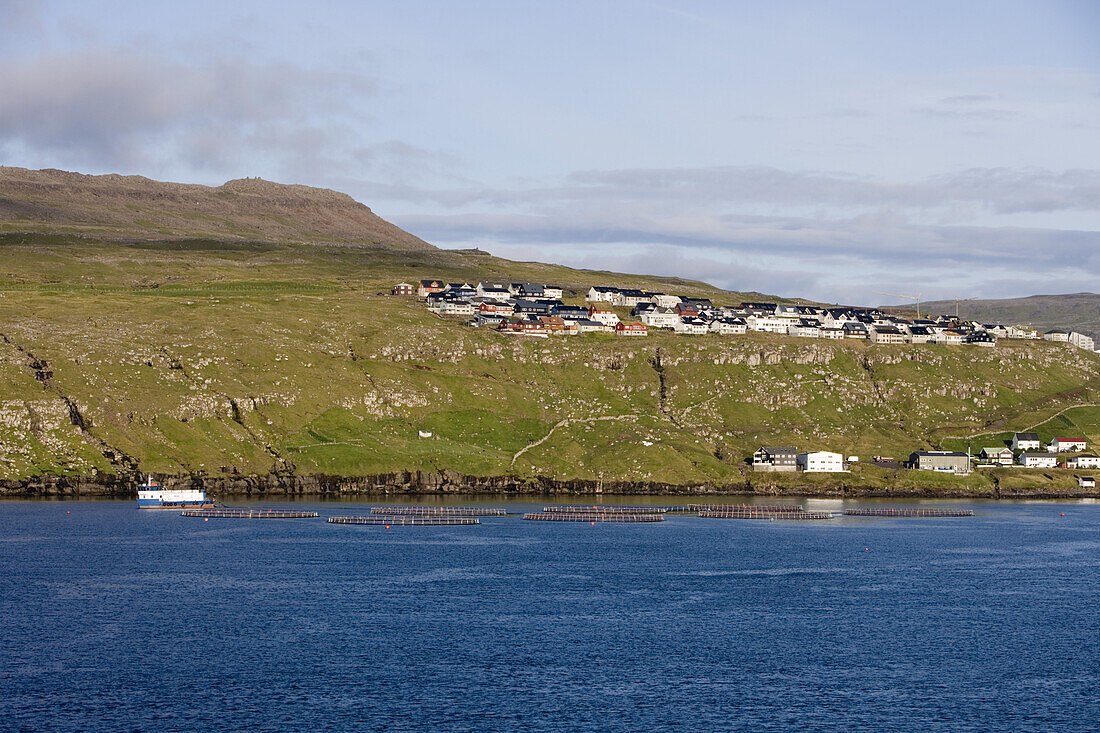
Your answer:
<point x="203" y="356"/>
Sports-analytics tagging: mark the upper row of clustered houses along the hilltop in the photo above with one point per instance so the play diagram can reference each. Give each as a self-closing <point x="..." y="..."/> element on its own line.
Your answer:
<point x="538" y="311"/>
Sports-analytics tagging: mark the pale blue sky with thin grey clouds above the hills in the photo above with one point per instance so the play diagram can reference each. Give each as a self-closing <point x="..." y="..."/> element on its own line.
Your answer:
<point x="823" y="150"/>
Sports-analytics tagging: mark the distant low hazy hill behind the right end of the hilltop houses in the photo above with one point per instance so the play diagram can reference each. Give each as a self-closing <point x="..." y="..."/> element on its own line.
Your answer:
<point x="1080" y="312"/>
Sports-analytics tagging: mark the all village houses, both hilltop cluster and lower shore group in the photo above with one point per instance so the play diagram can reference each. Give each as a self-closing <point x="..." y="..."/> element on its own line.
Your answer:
<point x="538" y="311"/>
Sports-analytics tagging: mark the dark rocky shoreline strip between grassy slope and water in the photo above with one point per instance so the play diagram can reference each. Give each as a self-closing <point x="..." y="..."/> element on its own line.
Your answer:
<point x="452" y="484"/>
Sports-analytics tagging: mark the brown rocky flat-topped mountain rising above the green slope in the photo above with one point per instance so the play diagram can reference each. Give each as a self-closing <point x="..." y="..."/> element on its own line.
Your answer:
<point x="123" y="207"/>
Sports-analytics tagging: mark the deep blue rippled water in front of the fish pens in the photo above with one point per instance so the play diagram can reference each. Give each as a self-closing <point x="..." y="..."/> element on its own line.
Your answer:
<point x="118" y="620"/>
